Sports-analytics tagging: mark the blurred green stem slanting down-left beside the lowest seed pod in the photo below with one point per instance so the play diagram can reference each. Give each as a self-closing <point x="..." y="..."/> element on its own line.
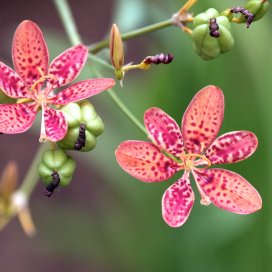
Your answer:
<point x="32" y="177"/>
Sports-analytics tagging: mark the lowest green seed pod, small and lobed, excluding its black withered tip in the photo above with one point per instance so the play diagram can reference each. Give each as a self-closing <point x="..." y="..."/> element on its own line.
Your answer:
<point x="59" y="162"/>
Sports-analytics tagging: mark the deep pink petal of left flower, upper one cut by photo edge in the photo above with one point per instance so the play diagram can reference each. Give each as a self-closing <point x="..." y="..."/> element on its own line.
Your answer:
<point x="11" y="84"/>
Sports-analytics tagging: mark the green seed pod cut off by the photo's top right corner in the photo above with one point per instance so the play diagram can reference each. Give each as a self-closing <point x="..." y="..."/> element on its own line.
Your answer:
<point x="257" y="7"/>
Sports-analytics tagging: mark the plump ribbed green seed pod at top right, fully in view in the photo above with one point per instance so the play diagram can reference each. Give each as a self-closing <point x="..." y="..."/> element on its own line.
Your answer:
<point x="207" y="46"/>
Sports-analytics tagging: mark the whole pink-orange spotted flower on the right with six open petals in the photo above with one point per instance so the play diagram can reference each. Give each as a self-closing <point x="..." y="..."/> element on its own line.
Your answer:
<point x="194" y="149"/>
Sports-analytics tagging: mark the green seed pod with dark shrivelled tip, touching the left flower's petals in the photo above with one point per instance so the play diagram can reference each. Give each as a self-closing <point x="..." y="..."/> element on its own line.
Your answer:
<point x="84" y="125"/>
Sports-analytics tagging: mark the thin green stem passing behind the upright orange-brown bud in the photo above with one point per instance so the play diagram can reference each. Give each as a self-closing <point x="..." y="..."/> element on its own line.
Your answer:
<point x="95" y="48"/>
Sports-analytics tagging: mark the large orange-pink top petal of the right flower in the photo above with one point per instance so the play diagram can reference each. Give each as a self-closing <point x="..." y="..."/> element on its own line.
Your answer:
<point x="202" y="119"/>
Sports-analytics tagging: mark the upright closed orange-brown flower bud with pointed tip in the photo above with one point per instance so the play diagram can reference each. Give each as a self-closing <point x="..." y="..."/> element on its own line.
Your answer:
<point x="116" y="51"/>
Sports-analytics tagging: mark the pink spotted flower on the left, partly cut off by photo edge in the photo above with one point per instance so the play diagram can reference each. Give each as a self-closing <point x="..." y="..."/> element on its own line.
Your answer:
<point x="33" y="83"/>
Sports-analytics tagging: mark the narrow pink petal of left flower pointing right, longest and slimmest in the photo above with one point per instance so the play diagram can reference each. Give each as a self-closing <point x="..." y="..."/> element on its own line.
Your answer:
<point x="82" y="90"/>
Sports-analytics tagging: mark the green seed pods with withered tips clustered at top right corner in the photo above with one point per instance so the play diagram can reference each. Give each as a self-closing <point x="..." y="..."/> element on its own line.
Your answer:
<point x="212" y="33"/>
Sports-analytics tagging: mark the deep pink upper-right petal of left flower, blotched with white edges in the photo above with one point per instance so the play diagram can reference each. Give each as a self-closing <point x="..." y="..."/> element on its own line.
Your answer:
<point x="66" y="67"/>
